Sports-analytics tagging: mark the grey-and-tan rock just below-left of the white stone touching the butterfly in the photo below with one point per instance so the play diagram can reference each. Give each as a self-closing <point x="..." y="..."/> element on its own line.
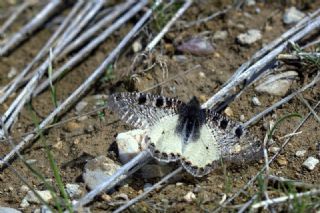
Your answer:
<point x="98" y="170"/>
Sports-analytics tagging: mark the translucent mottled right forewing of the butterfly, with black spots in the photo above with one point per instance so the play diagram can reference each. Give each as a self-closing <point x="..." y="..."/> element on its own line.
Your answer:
<point x="235" y="143"/>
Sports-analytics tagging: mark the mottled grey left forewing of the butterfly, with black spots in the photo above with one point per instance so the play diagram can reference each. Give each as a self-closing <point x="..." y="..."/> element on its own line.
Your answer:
<point x="142" y="110"/>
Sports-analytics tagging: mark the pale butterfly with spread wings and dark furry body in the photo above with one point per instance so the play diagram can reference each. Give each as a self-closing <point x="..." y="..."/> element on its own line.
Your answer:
<point x="177" y="131"/>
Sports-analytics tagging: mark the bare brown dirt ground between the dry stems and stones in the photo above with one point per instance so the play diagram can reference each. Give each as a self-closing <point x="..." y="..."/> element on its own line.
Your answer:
<point x="95" y="135"/>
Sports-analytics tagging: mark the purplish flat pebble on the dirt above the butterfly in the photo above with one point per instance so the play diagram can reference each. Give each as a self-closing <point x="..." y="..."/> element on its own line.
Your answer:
<point x="196" y="46"/>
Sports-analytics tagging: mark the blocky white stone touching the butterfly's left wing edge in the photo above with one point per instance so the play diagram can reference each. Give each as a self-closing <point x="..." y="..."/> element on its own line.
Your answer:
<point x="129" y="144"/>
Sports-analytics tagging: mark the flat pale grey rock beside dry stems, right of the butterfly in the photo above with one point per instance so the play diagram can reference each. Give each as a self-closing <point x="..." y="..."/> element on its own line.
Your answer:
<point x="278" y="84"/>
